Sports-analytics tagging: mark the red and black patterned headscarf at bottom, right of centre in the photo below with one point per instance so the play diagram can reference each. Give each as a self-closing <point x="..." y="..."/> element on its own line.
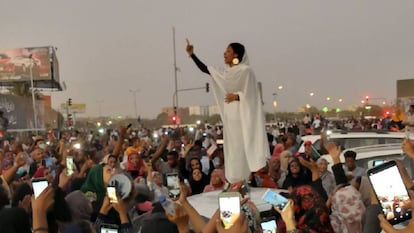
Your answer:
<point x="311" y="213"/>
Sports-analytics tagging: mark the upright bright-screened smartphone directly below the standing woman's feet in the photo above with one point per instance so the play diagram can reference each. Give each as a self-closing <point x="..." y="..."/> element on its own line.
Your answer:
<point x="229" y="204"/>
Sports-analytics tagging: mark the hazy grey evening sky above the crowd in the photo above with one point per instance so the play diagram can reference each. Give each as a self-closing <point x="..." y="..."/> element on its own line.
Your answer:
<point x="341" y="49"/>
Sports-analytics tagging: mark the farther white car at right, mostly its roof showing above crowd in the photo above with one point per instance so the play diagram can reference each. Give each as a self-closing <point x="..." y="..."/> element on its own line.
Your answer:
<point x="355" y="139"/>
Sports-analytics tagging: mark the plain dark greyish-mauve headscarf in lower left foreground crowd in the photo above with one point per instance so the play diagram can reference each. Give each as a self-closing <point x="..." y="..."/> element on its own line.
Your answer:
<point x="79" y="205"/>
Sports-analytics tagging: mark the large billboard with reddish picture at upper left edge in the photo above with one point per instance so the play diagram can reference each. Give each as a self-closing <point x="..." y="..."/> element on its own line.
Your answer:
<point x="24" y="64"/>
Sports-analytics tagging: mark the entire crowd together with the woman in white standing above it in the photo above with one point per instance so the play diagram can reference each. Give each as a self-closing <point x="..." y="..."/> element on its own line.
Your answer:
<point x="129" y="183"/>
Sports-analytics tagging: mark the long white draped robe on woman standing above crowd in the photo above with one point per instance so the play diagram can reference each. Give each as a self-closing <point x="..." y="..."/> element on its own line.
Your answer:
<point x="245" y="140"/>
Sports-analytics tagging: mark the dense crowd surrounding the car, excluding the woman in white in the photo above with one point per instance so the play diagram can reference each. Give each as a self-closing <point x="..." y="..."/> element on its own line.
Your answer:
<point x="321" y="200"/>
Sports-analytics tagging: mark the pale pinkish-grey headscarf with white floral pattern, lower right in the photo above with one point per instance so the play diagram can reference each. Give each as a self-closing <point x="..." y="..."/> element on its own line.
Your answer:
<point x="347" y="210"/>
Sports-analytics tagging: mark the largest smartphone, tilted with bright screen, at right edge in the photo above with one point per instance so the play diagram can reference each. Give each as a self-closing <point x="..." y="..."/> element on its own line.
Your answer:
<point x="391" y="192"/>
